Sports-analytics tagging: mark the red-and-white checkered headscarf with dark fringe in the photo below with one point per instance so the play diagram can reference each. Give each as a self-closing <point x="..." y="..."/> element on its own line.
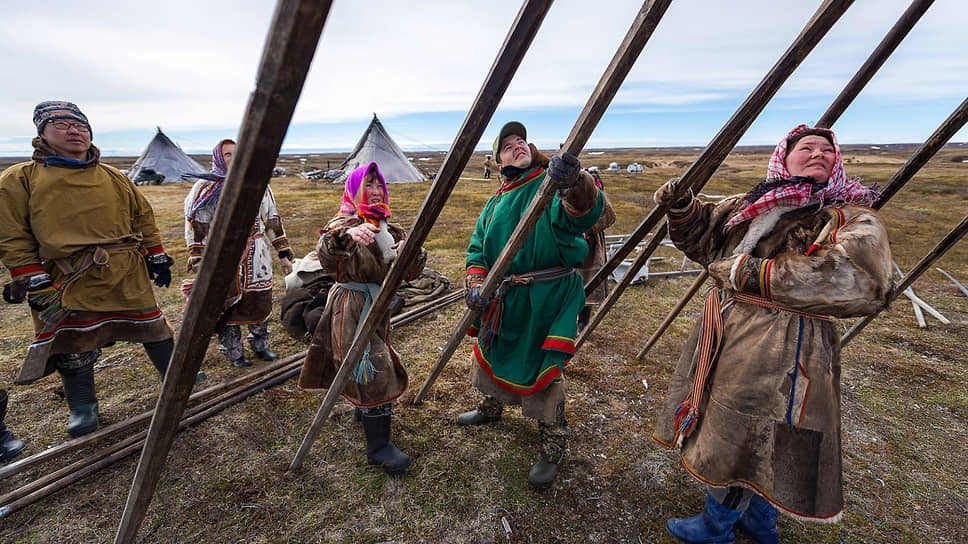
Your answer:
<point x="797" y="194"/>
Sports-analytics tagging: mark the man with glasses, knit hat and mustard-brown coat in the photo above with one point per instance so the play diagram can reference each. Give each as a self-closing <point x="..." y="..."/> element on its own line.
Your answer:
<point x="82" y="247"/>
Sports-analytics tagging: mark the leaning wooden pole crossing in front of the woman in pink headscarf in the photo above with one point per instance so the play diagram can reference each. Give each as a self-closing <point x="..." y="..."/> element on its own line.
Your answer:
<point x="519" y="39"/>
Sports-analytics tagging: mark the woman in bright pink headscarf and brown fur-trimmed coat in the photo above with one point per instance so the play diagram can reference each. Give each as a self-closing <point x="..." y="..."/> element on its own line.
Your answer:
<point x="356" y="248"/>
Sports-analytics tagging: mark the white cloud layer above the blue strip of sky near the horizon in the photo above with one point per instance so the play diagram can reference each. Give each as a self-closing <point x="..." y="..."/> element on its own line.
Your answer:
<point x="186" y="65"/>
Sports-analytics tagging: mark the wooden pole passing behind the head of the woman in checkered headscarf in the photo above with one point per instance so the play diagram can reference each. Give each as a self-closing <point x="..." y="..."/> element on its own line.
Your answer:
<point x="853" y="88"/>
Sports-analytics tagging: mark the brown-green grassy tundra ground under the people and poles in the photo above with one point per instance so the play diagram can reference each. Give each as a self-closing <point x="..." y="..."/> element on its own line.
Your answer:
<point x="905" y="406"/>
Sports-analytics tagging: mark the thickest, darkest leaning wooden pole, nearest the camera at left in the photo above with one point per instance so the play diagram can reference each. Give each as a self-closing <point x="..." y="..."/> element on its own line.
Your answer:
<point x="286" y="57"/>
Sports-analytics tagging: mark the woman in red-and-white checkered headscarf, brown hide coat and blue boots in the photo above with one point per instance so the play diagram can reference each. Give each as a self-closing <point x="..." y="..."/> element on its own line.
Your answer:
<point x="754" y="403"/>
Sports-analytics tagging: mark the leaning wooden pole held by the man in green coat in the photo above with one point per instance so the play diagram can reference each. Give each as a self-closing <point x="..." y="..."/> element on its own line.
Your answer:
<point x="635" y="39"/>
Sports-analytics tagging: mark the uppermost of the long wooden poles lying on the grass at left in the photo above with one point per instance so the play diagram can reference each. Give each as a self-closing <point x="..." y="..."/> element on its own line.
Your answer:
<point x="123" y="426"/>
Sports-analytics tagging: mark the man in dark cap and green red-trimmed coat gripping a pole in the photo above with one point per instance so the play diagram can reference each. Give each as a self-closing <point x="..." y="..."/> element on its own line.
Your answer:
<point x="526" y="333"/>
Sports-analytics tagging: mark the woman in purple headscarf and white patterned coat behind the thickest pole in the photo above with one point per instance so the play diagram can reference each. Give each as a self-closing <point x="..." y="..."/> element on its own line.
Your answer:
<point x="250" y="301"/>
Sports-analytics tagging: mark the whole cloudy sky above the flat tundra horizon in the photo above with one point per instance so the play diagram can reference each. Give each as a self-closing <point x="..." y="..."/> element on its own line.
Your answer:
<point x="189" y="66"/>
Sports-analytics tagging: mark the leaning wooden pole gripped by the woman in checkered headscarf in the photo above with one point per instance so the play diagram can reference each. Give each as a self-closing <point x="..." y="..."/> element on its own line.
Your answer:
<point x="703" y="167"/>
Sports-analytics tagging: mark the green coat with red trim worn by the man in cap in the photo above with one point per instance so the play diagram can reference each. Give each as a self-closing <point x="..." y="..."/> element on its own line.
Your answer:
<point x="537" y="330"/>
